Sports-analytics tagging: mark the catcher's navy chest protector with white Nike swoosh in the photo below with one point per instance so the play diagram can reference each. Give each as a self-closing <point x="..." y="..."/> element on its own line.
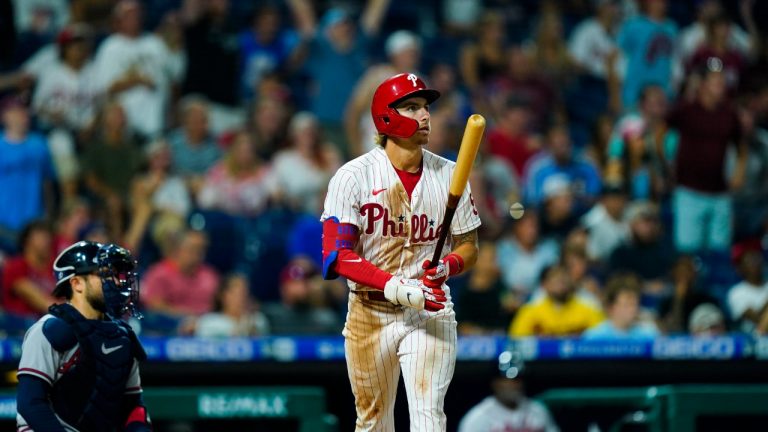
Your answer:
<point x="89" y="394"/>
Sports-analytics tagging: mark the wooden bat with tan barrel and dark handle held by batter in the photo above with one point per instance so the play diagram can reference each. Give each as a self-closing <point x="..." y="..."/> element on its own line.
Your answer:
<point x="470" y="142"/>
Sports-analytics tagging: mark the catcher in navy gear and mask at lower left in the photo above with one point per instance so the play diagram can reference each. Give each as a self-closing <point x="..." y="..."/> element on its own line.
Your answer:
<point x="79" y="363"/>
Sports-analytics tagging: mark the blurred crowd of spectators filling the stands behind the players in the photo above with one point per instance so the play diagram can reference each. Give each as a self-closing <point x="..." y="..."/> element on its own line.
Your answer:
<point x="201" y="135"/>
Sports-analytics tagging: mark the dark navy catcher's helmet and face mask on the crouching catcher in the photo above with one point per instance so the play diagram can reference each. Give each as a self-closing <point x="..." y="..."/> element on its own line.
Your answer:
<point x="113" y="264"/>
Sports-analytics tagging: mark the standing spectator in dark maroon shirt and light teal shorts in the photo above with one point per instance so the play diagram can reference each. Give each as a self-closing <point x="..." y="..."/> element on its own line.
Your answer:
<point x="702" y="204"/>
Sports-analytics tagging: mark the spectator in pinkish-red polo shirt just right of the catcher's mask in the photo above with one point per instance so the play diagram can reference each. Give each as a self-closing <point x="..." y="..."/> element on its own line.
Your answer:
<point x="181" y="284"/>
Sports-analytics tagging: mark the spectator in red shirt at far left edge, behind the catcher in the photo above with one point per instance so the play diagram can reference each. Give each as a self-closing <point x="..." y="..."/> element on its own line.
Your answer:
<point x="27" y="280"/>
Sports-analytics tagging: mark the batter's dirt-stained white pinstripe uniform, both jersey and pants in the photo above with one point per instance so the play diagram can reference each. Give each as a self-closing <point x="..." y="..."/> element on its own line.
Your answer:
<point x="397" y="234"/>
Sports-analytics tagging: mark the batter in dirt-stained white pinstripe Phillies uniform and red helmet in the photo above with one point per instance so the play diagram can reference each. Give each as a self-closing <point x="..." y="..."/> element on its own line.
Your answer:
<point x="381" y="221"/>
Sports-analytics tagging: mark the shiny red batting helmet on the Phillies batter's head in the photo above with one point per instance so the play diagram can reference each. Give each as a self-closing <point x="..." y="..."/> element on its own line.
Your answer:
<point x="393" y="90"/>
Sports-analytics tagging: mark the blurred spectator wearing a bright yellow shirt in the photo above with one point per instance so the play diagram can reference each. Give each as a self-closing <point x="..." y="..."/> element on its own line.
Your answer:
<point x="558" y="312"/>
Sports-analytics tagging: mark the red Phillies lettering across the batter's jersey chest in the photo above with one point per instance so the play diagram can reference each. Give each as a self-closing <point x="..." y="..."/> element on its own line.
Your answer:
<point x="423" y="227"/>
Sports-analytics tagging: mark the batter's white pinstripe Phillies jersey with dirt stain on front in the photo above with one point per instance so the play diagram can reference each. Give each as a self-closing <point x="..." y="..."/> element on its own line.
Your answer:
<point x="397" y="234"/>
